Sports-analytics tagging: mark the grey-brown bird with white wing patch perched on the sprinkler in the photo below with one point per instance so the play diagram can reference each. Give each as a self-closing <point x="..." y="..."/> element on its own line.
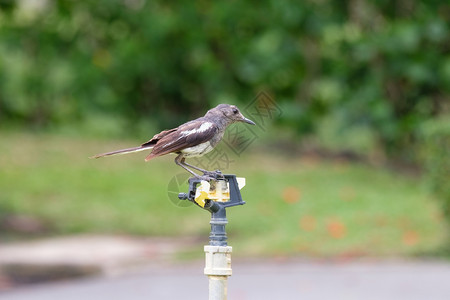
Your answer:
<point x="192" y="139"/>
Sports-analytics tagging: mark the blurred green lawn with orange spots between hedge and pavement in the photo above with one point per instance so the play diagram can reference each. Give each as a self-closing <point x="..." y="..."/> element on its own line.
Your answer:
<point x="295" y="206"/>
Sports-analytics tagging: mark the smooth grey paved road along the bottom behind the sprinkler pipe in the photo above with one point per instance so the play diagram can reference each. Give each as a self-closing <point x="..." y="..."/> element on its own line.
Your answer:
<point x="287" y="280"/>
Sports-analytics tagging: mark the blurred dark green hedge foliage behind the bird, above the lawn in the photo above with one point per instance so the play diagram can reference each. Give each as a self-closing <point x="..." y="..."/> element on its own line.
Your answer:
<point x="356" y="74"/>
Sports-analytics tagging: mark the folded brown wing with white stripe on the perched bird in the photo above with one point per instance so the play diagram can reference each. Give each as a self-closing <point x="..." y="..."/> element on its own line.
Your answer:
<point x="187" y="135"/>
